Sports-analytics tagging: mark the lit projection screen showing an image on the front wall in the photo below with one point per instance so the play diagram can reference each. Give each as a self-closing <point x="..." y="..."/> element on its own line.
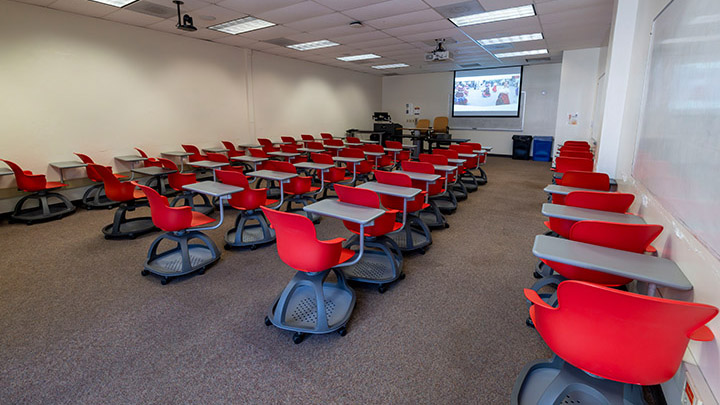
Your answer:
<point x="487" y="92"/>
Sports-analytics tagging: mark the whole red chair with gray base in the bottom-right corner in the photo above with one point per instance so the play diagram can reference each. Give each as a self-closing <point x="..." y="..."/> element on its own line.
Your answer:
<point x="607" y="344"/>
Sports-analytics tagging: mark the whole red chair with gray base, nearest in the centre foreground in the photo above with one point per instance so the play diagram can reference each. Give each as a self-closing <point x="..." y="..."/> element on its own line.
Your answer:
<point x="309" y="304"/>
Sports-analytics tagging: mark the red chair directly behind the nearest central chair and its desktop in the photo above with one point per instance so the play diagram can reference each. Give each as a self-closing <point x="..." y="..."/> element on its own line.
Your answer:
<point x="382" y="259"/>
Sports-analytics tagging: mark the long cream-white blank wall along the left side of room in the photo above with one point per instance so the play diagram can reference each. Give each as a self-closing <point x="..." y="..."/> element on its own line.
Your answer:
<point x="77" y="84"/>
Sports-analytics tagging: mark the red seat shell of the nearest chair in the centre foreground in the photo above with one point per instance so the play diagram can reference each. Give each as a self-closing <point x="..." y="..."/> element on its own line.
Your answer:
<point x="297" y="242"/>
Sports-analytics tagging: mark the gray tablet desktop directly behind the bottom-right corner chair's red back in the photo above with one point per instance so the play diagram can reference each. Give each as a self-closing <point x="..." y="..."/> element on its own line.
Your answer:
<point x="656" y="271"/>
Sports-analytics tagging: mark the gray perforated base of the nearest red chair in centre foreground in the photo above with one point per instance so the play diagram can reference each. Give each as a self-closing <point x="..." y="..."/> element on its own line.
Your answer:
<point x="310" y="305"/>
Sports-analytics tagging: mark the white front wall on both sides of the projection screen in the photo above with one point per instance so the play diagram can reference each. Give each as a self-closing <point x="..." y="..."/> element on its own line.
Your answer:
<point x="432" y="92"/>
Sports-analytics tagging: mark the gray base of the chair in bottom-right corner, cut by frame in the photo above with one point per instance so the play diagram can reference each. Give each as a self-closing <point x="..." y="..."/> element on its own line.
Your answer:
<point x="558" y="382"/>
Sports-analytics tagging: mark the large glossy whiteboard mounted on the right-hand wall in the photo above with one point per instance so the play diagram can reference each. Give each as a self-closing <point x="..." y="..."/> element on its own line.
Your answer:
<point x="678" y="149"/>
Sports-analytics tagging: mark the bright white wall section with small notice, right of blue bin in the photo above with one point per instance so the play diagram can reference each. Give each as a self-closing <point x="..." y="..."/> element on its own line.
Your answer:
<point x="578" y="83"/>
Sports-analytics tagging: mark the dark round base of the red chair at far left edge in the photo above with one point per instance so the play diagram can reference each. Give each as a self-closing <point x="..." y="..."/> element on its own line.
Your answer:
<point x="45" y="210"/>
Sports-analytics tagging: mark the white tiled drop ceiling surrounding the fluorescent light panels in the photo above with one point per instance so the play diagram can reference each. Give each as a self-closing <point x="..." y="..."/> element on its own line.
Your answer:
<point x="401" y="31"/>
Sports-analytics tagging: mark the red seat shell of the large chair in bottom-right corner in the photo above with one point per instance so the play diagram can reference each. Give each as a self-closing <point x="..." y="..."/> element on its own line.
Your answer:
<point x="619" y="335"/>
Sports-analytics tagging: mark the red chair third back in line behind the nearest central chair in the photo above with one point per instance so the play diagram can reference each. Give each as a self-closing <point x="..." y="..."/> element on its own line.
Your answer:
<point x="415" y="236"/>
